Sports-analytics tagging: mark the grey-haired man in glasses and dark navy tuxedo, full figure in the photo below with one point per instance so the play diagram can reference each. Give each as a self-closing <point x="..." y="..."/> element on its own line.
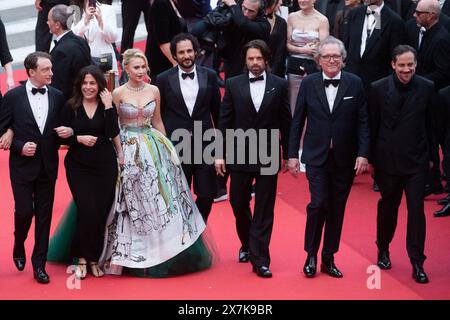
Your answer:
<point x="335" y="147"/>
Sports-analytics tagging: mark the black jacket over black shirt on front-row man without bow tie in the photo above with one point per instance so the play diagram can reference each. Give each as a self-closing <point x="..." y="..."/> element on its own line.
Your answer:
<point x="401" y="135"/>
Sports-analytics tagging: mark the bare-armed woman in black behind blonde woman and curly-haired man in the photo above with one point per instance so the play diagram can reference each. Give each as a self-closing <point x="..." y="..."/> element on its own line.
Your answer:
<point x="165" y="22"/>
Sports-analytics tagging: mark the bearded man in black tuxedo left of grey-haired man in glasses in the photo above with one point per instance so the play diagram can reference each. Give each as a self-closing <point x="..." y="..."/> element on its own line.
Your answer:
<point x="256" y="107"/>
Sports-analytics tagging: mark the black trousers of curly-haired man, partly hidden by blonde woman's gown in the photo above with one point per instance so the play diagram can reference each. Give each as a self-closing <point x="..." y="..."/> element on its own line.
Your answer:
<point x="203" y="178"/>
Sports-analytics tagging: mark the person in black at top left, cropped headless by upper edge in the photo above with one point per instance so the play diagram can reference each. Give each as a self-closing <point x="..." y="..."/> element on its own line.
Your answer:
<point x="43" y="37"/>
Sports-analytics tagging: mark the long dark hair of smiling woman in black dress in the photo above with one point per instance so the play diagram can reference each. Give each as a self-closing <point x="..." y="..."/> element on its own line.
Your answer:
<point x="77" y="96"/>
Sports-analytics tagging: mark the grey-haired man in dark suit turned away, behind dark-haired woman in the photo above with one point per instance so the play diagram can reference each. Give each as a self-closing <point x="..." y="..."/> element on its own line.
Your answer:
<point x="70" y="54"/>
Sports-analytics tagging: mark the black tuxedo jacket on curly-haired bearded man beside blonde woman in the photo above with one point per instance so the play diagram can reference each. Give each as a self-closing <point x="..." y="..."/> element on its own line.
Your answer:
<point x="174" y="111"/>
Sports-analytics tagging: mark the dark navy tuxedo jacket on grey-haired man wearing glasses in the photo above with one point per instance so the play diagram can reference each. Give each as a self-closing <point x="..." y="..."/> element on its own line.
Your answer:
<point x="345" y="128"/>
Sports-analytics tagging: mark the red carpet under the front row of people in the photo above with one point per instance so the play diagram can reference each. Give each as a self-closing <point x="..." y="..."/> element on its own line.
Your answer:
<point x="228" y="279"/>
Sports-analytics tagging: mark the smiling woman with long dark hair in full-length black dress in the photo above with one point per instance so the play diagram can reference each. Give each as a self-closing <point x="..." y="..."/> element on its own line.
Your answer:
<point x="91" y="164"/>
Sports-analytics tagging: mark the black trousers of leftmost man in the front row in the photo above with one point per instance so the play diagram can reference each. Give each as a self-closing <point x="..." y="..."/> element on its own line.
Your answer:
<point x="34" y="198"/>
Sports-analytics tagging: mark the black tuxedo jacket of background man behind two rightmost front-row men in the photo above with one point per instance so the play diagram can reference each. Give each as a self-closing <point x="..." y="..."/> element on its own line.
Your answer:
<point x="375" y="63"/>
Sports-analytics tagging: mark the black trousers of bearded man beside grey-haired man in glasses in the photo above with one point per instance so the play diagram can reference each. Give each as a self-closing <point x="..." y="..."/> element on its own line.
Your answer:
<point x="254" y="232"/>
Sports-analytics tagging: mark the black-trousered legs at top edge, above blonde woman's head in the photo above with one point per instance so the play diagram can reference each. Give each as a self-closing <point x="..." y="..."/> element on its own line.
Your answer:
<point x="131" y="12"/>
